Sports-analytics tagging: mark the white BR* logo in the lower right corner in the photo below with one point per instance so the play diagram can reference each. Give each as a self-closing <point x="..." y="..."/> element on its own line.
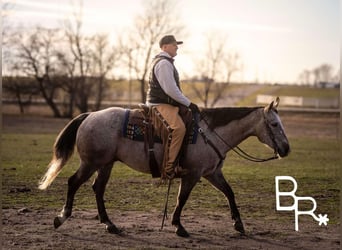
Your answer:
<point x="321" y="219"/>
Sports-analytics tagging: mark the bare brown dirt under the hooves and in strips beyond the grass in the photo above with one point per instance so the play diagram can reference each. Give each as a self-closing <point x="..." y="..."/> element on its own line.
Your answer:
<point x="33" y="229"/>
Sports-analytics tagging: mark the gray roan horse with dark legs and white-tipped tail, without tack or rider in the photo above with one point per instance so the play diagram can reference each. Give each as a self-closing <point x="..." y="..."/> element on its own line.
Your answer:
<point x="100" y="143"/>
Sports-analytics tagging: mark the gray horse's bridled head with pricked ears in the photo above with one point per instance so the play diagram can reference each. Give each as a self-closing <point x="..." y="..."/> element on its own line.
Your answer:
<point x="272" y="131"/>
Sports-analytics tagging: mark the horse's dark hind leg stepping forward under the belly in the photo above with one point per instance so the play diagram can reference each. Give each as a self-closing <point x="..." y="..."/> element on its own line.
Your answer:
<point x="99" y="189"/>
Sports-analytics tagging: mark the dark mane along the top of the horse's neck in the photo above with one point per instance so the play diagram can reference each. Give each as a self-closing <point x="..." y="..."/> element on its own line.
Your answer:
<point x="217" y="117"/>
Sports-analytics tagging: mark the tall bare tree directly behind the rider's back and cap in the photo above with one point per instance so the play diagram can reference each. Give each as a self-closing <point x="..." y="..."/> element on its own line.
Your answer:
<point x="158" y="18"/>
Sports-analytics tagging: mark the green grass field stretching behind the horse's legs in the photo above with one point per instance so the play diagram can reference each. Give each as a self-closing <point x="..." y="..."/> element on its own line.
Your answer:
<point x="314" y="163"/>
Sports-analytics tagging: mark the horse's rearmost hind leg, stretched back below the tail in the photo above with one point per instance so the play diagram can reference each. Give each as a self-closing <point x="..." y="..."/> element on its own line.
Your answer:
<point x="74" y="182"/>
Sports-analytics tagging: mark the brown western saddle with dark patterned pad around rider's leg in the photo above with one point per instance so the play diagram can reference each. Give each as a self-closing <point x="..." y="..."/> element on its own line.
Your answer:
<point x="138" y="127"/>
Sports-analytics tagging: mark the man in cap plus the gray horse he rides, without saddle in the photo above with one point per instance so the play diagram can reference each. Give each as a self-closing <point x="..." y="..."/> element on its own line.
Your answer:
<point x="100" y="143"/>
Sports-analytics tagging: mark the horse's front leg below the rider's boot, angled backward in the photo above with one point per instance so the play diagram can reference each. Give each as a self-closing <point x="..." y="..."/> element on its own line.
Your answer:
<point x="187" y="184"/>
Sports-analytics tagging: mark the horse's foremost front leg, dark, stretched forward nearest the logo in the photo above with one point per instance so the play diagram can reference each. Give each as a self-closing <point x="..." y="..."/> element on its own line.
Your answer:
<point x="217" y="180"/>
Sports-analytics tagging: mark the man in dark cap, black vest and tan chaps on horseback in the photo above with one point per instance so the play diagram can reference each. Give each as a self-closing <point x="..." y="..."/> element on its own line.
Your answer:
<point x="165" y="96"/>
